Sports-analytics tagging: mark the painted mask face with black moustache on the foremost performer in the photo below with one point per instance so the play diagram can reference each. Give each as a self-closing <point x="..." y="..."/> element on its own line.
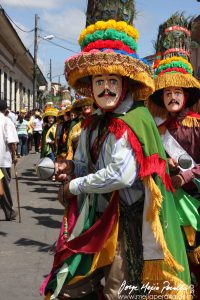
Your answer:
<point x="107" y="89"/>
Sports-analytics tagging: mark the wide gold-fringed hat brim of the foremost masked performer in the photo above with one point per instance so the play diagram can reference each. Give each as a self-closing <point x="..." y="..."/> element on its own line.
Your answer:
<point x="78" y="70"/>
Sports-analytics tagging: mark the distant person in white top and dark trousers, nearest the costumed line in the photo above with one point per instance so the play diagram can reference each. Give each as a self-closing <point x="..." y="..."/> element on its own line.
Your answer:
<point x="37" y="130"/>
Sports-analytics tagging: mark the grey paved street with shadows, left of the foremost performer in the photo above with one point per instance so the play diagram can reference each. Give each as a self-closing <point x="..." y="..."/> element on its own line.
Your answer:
<point x="24" y="256"/>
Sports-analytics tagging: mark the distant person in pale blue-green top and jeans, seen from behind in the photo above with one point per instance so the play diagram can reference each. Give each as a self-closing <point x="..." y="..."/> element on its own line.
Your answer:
<point x="22" y="131"/>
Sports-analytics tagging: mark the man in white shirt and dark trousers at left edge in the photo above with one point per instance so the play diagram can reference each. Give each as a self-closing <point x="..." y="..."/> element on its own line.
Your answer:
<point x="8" y="138"/>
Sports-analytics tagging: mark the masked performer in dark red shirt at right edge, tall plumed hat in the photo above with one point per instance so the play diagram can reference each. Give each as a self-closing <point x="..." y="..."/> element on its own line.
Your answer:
<point x="172" y="105"/>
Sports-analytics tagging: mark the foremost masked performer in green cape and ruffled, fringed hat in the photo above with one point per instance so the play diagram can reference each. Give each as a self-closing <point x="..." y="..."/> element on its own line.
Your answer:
<point x="122" y="222"/>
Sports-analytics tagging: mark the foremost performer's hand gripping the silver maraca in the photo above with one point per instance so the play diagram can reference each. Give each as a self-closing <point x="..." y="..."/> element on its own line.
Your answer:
<point x="64" y="169"/>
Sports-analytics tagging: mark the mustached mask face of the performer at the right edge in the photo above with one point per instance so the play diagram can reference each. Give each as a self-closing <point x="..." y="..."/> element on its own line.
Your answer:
<point x="174" y="99"/>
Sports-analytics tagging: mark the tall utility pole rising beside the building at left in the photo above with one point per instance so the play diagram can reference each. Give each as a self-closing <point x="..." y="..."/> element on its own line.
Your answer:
<point x="35" y="62"/>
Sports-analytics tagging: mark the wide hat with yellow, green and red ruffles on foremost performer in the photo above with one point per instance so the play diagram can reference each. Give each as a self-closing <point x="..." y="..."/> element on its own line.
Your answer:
<point x="109" y="47"/>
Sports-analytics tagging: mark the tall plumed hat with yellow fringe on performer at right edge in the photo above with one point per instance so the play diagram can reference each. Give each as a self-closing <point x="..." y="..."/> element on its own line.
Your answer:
<point x="172" y="65"/>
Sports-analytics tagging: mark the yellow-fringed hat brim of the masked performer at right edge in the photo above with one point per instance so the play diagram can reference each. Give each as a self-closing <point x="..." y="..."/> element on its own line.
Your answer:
<point x="186" y="81"/>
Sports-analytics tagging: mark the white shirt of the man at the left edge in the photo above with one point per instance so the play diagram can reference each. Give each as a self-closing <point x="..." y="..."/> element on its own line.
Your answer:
<point x="8" y="134"/>
